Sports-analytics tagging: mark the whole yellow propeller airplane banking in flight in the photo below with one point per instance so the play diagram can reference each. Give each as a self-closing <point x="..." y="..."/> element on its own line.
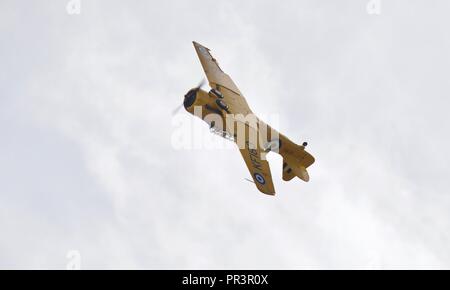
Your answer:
<point x="226" y="111"/>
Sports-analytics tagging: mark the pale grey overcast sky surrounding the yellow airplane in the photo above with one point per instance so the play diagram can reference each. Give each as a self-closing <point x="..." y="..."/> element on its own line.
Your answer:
<point x="86" y="155"/>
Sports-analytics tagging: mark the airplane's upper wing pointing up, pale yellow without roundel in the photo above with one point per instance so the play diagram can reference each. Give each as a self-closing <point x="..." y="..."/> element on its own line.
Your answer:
<point x="222" y="82"/>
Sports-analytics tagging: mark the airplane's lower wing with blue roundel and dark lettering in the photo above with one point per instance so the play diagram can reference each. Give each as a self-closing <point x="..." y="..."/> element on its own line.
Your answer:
<point x="254" y="158"/>
